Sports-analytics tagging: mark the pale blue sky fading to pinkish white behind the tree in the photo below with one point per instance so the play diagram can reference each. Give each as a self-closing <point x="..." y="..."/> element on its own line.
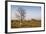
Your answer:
<point x="32" y="12"/>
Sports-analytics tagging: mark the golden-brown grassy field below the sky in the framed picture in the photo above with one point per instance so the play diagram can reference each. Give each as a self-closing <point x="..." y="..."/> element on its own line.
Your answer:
<point x="25" y="24"/>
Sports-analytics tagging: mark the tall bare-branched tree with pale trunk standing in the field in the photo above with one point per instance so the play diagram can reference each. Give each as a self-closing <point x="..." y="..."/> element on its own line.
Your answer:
<point x="21" y="14"/>
